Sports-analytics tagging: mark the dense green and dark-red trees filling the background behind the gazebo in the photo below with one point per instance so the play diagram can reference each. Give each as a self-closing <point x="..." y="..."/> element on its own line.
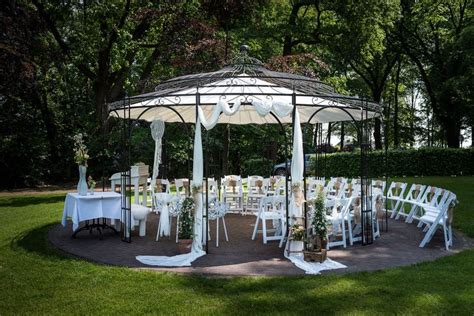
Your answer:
<point x="63" y="61"/>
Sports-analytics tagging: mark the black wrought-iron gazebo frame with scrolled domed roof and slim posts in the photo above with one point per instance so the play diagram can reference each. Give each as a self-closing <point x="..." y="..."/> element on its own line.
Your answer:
<point x="169" y="98"/>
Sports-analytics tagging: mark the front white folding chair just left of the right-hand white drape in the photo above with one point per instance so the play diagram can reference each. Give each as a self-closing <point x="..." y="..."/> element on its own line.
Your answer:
<point x="271" y="208"/>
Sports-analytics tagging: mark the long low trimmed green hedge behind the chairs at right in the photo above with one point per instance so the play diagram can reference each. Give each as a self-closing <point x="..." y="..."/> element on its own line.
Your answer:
<point x="413" y="162"/>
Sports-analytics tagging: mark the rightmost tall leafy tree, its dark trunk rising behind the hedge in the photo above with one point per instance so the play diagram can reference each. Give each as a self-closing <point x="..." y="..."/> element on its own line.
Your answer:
<point x="430" y="34"/>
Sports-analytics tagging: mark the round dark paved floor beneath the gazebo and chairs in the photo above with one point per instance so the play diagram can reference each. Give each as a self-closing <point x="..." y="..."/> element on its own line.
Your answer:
<point x="243" y="256"/>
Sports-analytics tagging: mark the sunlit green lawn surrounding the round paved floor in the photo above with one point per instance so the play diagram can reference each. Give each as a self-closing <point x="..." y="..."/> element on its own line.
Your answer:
<point x="37" y="279"/>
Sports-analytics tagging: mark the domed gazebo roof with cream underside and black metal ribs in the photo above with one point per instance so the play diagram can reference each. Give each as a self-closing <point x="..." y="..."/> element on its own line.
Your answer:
<point x="247" y="81"/>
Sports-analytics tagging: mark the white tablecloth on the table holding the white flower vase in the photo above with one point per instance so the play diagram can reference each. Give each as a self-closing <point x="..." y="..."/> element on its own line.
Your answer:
<point x="99" y="205"/>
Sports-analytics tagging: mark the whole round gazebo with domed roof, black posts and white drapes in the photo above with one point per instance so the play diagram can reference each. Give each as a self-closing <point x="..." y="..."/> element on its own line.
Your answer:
<point x="245" y="92"/>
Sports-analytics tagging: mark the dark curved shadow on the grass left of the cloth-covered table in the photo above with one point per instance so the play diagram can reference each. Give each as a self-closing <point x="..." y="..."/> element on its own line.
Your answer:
<point x="36" y="241"/>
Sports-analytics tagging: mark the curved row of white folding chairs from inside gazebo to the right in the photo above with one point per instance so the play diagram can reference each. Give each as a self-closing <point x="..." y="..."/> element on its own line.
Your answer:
<point x="426" y="204"/>
